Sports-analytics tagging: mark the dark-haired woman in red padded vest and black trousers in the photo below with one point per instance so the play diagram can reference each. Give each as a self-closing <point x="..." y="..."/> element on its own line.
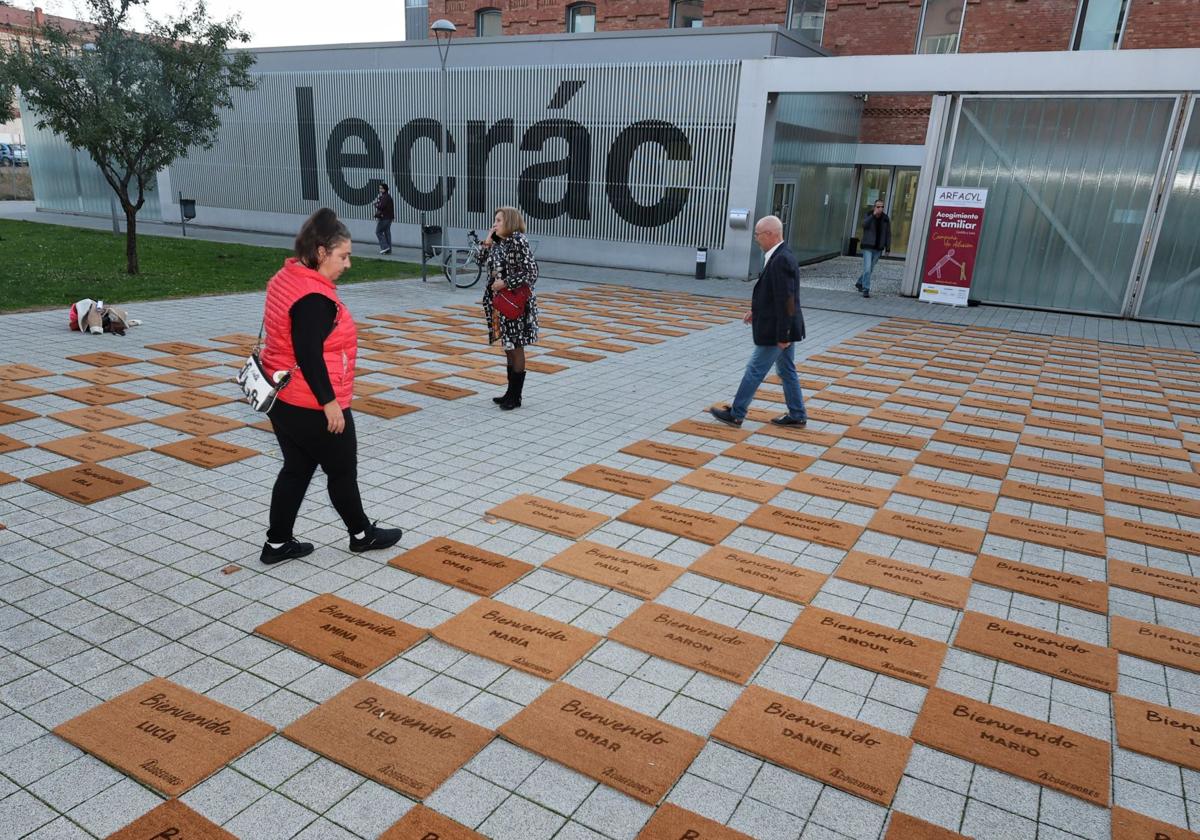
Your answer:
<point x="311" y="333"/>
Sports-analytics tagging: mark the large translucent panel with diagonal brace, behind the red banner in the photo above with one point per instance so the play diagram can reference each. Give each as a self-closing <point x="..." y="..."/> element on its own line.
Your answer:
<point x="1070" y="185"/>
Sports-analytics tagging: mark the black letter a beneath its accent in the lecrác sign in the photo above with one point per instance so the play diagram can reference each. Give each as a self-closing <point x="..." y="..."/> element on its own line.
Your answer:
<point x="574" y="165"/>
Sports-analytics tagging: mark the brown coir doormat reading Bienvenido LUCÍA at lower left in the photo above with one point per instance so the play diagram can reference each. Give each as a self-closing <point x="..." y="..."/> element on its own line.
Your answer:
<point x="165" y="736"/>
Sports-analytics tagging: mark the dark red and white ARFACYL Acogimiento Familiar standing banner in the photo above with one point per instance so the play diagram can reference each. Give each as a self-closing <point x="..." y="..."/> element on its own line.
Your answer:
<point x="953" y="244"/>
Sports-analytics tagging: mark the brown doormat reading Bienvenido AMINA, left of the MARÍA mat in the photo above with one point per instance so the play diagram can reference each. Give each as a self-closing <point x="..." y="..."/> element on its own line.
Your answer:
<point x="341" y="634"/>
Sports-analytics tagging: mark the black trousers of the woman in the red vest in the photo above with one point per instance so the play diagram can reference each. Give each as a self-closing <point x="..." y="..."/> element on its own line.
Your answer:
<point x="307" y="445"/>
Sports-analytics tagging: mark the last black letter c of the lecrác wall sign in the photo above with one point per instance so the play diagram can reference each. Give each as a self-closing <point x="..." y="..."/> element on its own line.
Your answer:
<point x="621" y="158"/>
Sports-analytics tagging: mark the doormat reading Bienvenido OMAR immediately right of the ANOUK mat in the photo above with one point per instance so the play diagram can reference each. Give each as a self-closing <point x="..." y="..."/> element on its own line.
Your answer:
<point x="1063" y="657"/>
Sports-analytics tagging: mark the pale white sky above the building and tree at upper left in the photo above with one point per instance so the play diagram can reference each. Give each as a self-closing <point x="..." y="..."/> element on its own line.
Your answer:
<point x="283" y="23"/>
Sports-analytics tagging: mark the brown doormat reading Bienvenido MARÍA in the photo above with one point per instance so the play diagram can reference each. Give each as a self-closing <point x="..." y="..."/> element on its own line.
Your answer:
<point x="521" y="640"/>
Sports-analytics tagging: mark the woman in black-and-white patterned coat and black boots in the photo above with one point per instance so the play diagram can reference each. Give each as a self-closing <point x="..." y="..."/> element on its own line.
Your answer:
<point x="511" y="267"/>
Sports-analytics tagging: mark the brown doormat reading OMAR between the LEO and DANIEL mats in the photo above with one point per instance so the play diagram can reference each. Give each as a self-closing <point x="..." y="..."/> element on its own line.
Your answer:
<point x="635" y="754"/>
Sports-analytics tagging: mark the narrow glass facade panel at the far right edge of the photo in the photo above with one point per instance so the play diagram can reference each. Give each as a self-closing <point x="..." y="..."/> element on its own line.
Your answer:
<point x="1173" y="284"/>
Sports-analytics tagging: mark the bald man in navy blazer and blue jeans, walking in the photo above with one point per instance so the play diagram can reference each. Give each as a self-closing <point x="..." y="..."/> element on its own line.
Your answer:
<point x="778" y="323"/>
